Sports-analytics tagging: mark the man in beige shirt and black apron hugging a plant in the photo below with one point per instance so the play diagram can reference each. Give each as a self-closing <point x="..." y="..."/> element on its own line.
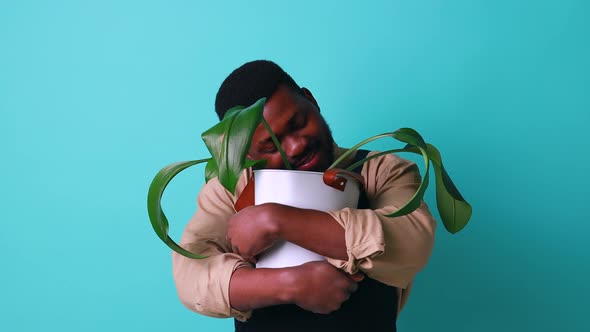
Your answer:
<point x="371" y="259"/>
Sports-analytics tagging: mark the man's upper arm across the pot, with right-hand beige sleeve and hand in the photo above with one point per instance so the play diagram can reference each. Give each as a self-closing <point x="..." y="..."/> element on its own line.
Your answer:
<point x="351" y="239"/>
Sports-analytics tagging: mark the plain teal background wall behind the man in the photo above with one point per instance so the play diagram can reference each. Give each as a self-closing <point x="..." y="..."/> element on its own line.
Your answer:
<point x="97" y="96"/>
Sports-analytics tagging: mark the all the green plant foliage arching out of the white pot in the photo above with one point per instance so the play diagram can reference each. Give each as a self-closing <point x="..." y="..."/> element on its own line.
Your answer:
<point x="229" y="140"/>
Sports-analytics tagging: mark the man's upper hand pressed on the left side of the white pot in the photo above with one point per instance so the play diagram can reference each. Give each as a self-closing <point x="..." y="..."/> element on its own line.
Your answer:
<point x="253" y="230"/>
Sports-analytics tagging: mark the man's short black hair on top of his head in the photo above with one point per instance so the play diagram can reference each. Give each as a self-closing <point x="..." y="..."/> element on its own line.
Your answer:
<point x="250" y="82"/>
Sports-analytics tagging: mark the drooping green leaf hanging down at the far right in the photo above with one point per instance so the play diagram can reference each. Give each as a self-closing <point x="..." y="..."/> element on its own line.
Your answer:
<point x="454" y="210"/>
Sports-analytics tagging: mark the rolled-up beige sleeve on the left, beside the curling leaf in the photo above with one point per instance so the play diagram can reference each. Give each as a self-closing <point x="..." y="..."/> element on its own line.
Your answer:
<point x="203" y="284"/>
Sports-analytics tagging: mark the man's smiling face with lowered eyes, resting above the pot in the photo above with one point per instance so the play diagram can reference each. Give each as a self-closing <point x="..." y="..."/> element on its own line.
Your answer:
<point x="304" y="135"/>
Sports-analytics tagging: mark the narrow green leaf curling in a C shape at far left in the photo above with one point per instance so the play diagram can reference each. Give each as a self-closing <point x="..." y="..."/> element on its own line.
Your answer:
<point x="155" y="212"/>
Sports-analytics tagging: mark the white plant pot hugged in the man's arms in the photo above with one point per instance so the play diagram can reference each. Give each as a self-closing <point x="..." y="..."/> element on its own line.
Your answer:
<point x="301" y="189"/>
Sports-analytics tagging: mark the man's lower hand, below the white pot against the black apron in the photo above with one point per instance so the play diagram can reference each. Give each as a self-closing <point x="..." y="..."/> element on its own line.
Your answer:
<point x="321" y="288"/>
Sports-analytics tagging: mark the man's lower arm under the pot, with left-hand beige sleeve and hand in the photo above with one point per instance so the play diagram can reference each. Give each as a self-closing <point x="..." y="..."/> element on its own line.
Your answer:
<point x="225" y="285"/>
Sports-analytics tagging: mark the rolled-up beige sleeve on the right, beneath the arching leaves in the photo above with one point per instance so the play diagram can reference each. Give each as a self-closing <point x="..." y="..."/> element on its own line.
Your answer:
<point x="391" y="250"/>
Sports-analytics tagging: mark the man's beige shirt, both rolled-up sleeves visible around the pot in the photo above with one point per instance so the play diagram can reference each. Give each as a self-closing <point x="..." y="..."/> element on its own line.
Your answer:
<point x="390" y="250"/>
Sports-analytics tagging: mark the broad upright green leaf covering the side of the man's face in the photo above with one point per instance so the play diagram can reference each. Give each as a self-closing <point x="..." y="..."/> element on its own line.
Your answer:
<point x="229" y="141"/>
